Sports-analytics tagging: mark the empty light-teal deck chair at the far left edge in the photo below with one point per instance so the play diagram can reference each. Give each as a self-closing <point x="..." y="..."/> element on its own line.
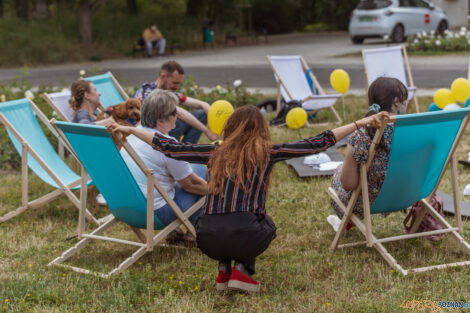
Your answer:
<point x="37" y="153"/>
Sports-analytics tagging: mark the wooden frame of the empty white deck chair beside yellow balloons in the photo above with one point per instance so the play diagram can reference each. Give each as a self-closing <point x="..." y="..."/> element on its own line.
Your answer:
<point x="321" y="91"/>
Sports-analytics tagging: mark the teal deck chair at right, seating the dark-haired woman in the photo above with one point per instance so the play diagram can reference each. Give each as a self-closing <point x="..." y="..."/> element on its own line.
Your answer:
<point x="422" y="146"/>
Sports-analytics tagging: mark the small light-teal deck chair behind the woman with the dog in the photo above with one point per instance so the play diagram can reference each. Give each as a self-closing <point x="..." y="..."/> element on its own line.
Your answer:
<point x="111" y="91"/>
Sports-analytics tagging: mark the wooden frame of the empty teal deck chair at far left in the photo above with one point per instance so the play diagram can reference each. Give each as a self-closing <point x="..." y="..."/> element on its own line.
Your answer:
<point x="26" y="204"/>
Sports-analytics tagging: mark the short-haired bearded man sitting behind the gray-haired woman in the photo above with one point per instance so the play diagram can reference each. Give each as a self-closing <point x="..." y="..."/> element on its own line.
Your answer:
<point x="189" y="126"/>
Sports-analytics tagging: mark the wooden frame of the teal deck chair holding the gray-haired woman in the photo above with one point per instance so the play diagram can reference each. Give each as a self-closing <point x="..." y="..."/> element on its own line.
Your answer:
<point x="147" y="241"/>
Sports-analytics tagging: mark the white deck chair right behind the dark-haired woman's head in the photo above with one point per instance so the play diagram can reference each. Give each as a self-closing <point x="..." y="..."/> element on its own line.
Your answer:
<point x="389" y="62"/>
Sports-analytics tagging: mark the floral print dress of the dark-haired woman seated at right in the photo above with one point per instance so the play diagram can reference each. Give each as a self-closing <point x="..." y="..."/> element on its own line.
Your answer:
<point x="360" y="141"/>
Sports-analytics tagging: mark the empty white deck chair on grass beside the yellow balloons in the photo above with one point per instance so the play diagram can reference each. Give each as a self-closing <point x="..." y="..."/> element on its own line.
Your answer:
<point x="289" y="73"/>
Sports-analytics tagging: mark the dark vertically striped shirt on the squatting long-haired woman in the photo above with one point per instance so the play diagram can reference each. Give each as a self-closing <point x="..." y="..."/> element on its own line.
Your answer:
<point x="235" y="197"/>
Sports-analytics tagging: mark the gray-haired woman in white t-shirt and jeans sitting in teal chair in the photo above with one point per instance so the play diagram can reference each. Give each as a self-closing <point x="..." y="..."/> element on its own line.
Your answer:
<point x="183" y="181"/>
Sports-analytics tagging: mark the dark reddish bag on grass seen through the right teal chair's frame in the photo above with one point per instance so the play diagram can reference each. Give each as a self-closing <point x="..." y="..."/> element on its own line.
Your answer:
<point x="428" y="223"/>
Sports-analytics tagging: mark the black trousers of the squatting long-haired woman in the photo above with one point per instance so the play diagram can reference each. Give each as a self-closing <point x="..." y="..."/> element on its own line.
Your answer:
<point x="238" y="236"/>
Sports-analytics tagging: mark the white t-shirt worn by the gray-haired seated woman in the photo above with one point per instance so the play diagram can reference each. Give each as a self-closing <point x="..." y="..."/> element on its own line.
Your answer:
<point x="166" y="170"/>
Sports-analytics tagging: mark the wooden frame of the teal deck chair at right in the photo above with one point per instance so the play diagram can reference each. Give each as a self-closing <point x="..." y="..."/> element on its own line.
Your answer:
<point x="365" y="227"/>
